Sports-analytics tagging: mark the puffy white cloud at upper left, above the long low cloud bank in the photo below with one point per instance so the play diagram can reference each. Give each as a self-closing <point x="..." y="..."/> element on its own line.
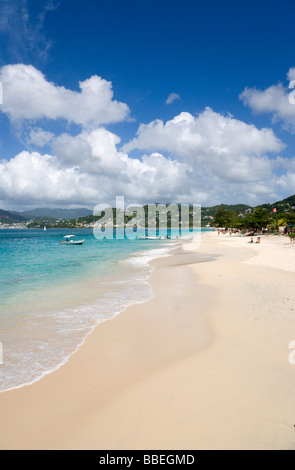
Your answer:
<point x="27" y="95"/>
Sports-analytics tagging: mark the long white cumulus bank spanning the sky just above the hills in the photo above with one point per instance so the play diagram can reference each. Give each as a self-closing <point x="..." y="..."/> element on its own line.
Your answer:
<point x="89" y="168"/>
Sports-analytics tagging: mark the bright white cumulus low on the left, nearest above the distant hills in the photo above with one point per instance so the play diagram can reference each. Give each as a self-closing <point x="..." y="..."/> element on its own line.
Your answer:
<point x="88" y="169"/>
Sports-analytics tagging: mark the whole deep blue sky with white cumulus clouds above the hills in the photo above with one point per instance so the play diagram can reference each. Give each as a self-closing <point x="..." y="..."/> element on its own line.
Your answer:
<point x="155" y="101"/>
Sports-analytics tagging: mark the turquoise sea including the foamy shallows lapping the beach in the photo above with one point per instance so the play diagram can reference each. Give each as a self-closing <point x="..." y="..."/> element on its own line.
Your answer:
<point x="54" y="295"/>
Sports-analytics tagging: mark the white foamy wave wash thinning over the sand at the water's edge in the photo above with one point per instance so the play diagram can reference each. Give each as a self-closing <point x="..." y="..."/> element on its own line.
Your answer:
<point x="45" y="342"/>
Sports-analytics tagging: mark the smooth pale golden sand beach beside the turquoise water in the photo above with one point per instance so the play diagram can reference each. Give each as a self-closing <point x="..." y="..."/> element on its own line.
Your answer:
<point x="203" y="365"/>
